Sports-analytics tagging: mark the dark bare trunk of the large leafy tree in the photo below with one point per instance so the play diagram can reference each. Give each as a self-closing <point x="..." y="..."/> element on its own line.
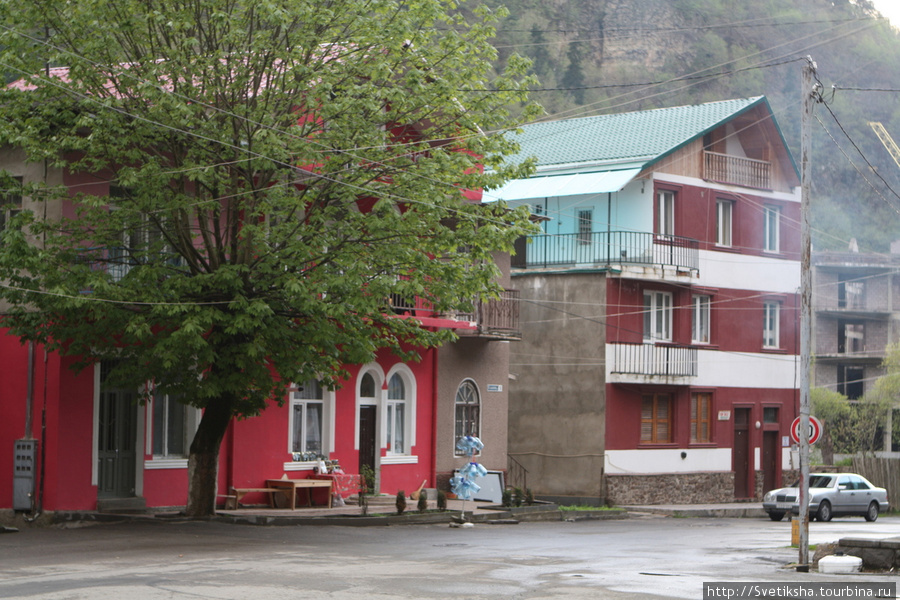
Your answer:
<point x="203" y="462"/>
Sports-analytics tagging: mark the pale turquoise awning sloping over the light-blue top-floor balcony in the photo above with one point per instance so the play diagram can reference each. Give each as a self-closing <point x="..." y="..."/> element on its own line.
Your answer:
<point x="563" y="185"/>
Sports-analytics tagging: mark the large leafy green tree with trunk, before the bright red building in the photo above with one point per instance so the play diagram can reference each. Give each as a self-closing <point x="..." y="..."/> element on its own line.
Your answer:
<point x="277" y="171"/>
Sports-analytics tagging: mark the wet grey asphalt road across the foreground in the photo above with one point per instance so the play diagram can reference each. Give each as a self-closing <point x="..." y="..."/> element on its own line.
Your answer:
<point x="633" y="558"/>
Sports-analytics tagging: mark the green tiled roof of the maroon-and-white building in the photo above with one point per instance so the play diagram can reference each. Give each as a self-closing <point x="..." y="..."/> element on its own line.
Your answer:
<point x="624" y="140"/>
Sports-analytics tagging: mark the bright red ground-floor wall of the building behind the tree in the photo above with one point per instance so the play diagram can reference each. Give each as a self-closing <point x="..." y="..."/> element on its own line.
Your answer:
<point x="253" y="450"/>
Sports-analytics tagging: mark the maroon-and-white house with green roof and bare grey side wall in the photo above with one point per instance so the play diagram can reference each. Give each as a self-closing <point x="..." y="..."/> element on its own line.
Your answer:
<point x="660" y="347"/>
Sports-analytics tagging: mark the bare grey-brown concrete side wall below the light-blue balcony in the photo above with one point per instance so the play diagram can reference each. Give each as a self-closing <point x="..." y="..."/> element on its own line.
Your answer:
<point x="557" y="412"/>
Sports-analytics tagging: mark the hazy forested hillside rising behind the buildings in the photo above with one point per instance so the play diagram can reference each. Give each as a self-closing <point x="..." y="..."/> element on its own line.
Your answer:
<point x="610" y="56"/>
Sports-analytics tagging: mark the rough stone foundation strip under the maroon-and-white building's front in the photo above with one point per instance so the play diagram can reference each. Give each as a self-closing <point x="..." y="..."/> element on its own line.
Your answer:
<point x="670" y="488"/>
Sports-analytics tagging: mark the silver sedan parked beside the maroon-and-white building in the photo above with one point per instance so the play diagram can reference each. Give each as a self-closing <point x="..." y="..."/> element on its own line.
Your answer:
<point x="829" y="494"/>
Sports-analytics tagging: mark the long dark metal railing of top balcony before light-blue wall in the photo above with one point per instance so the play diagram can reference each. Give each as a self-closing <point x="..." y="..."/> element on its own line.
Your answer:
<point x="607" y="248"/>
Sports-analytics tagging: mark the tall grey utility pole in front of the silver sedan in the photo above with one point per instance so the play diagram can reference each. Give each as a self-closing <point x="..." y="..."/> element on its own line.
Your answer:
<point x="810" y="95"/>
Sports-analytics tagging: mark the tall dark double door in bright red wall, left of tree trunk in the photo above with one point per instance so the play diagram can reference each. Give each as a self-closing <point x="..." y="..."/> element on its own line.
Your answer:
<point x="117" y="429"/>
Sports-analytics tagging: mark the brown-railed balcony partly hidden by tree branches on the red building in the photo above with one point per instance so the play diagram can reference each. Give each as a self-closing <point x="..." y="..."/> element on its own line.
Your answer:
<point x="495" y="318"/>
